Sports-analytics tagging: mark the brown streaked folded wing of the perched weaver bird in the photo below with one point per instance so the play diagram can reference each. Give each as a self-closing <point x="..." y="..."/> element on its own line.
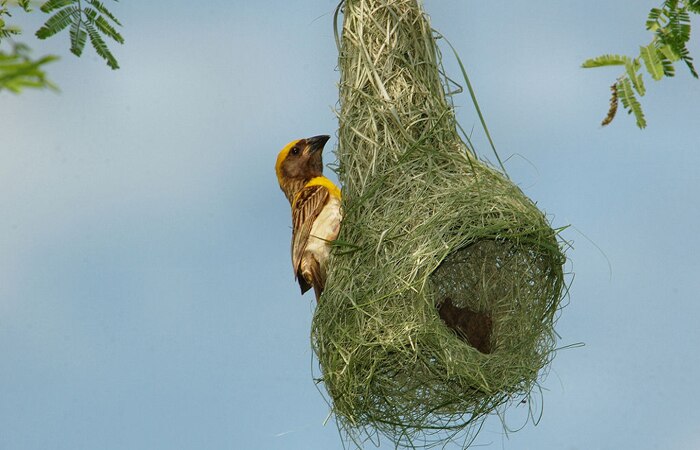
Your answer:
<point x="307" y="207"/>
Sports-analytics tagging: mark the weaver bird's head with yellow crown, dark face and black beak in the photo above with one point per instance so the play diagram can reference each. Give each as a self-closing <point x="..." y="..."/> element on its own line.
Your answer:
<point x="300" y="160"/>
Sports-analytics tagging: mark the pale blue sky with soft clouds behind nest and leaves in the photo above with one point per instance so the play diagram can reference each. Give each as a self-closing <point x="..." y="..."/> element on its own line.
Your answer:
<point x="146" y="295"/>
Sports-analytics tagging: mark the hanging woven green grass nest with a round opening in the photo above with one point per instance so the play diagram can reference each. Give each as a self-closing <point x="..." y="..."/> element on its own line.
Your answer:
<point x="445" y="281"/>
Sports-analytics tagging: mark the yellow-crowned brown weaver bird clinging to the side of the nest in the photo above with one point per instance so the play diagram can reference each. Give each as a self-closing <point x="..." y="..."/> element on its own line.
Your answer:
<point x="316" y="213"/>
